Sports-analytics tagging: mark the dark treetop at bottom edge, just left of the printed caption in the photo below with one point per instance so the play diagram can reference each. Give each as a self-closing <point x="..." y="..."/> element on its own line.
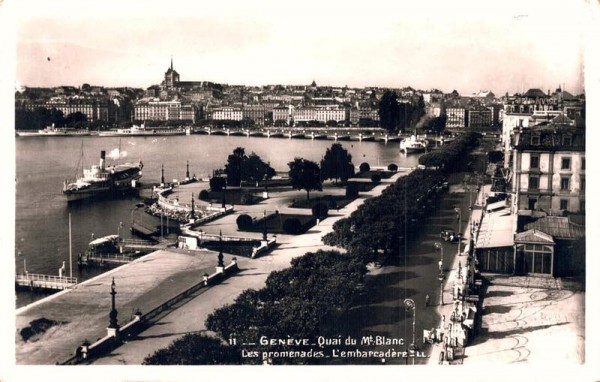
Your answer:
<point x="196" y="349"/>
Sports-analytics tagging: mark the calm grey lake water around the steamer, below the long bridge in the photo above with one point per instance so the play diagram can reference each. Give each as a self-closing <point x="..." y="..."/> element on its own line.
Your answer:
<point x="42" y="164"/>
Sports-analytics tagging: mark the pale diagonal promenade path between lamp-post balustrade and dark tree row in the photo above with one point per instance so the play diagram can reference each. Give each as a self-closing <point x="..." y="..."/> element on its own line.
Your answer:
<point x="191" y="316"/>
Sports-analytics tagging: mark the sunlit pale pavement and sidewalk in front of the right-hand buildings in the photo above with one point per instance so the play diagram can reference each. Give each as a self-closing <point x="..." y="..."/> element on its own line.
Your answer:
<point x="526" y="319"/>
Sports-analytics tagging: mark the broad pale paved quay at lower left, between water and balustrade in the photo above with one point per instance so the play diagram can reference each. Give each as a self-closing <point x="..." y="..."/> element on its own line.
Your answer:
<point x="83" y="311"/>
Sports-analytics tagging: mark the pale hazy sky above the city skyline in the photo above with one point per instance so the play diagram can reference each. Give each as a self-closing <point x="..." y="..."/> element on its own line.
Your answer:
<point x="503" y="46"/>
